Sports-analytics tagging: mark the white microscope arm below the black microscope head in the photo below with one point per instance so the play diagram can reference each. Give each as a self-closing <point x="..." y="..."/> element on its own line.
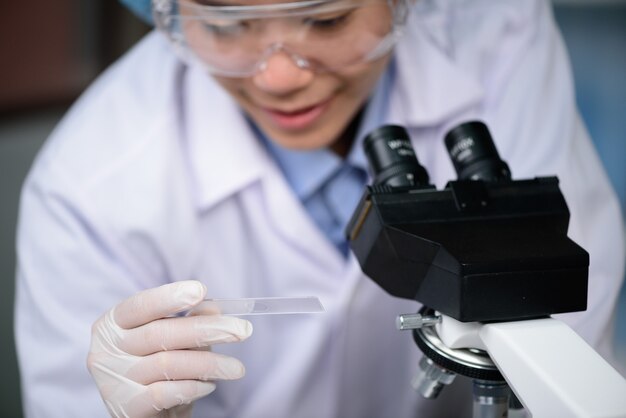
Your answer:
<point x="552" y="370"/>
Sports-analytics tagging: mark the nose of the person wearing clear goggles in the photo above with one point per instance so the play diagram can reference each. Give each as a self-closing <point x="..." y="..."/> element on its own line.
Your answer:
<point x="281" y="75"/>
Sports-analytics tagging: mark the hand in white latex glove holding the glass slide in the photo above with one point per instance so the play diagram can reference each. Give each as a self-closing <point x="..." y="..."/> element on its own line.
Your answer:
<point x="149" y="364"/>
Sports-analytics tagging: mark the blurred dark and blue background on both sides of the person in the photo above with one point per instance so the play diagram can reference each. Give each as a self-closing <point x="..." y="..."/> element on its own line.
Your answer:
<point x="53" y="50"/>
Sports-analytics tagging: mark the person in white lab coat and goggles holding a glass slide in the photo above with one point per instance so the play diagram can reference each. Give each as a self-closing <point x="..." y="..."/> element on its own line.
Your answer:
<point x="221" y="157"/>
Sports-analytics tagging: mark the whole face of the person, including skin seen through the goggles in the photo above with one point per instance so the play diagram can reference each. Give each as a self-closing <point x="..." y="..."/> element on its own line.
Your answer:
<point x="296" y="106"/>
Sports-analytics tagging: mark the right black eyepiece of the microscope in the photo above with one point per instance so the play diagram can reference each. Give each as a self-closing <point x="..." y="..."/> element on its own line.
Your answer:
<point x="474" y="154"/>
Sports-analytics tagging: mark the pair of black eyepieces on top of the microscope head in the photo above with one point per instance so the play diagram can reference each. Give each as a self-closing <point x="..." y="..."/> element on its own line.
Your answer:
<point x="470" y="146"/>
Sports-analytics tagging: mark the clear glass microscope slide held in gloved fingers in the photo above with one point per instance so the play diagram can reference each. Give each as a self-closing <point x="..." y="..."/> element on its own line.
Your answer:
<point x="259" y="306"/>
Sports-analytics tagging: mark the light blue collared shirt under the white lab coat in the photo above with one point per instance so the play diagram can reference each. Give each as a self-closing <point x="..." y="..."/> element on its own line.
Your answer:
<point x="328" y="186"/>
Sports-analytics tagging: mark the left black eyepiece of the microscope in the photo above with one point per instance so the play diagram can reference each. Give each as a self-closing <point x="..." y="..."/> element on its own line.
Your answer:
<point x="392" y="158"/>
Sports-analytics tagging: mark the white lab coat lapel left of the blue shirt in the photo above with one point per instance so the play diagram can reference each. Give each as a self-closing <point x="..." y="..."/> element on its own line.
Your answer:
<point x="227" y="157"/>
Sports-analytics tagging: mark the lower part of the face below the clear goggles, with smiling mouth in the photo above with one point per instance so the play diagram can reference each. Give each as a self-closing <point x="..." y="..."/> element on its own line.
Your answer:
<point x="299" y="109"/>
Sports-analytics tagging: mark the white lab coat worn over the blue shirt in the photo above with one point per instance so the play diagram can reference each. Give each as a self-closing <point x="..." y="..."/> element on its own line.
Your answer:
<point x="154" y="177"/>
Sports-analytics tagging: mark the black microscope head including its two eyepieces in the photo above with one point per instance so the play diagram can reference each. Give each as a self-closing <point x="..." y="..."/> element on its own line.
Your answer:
<point x="485" y="248"/>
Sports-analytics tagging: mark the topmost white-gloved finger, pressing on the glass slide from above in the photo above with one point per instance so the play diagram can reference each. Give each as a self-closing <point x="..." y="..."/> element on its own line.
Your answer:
<point x="158" y="302"/>
